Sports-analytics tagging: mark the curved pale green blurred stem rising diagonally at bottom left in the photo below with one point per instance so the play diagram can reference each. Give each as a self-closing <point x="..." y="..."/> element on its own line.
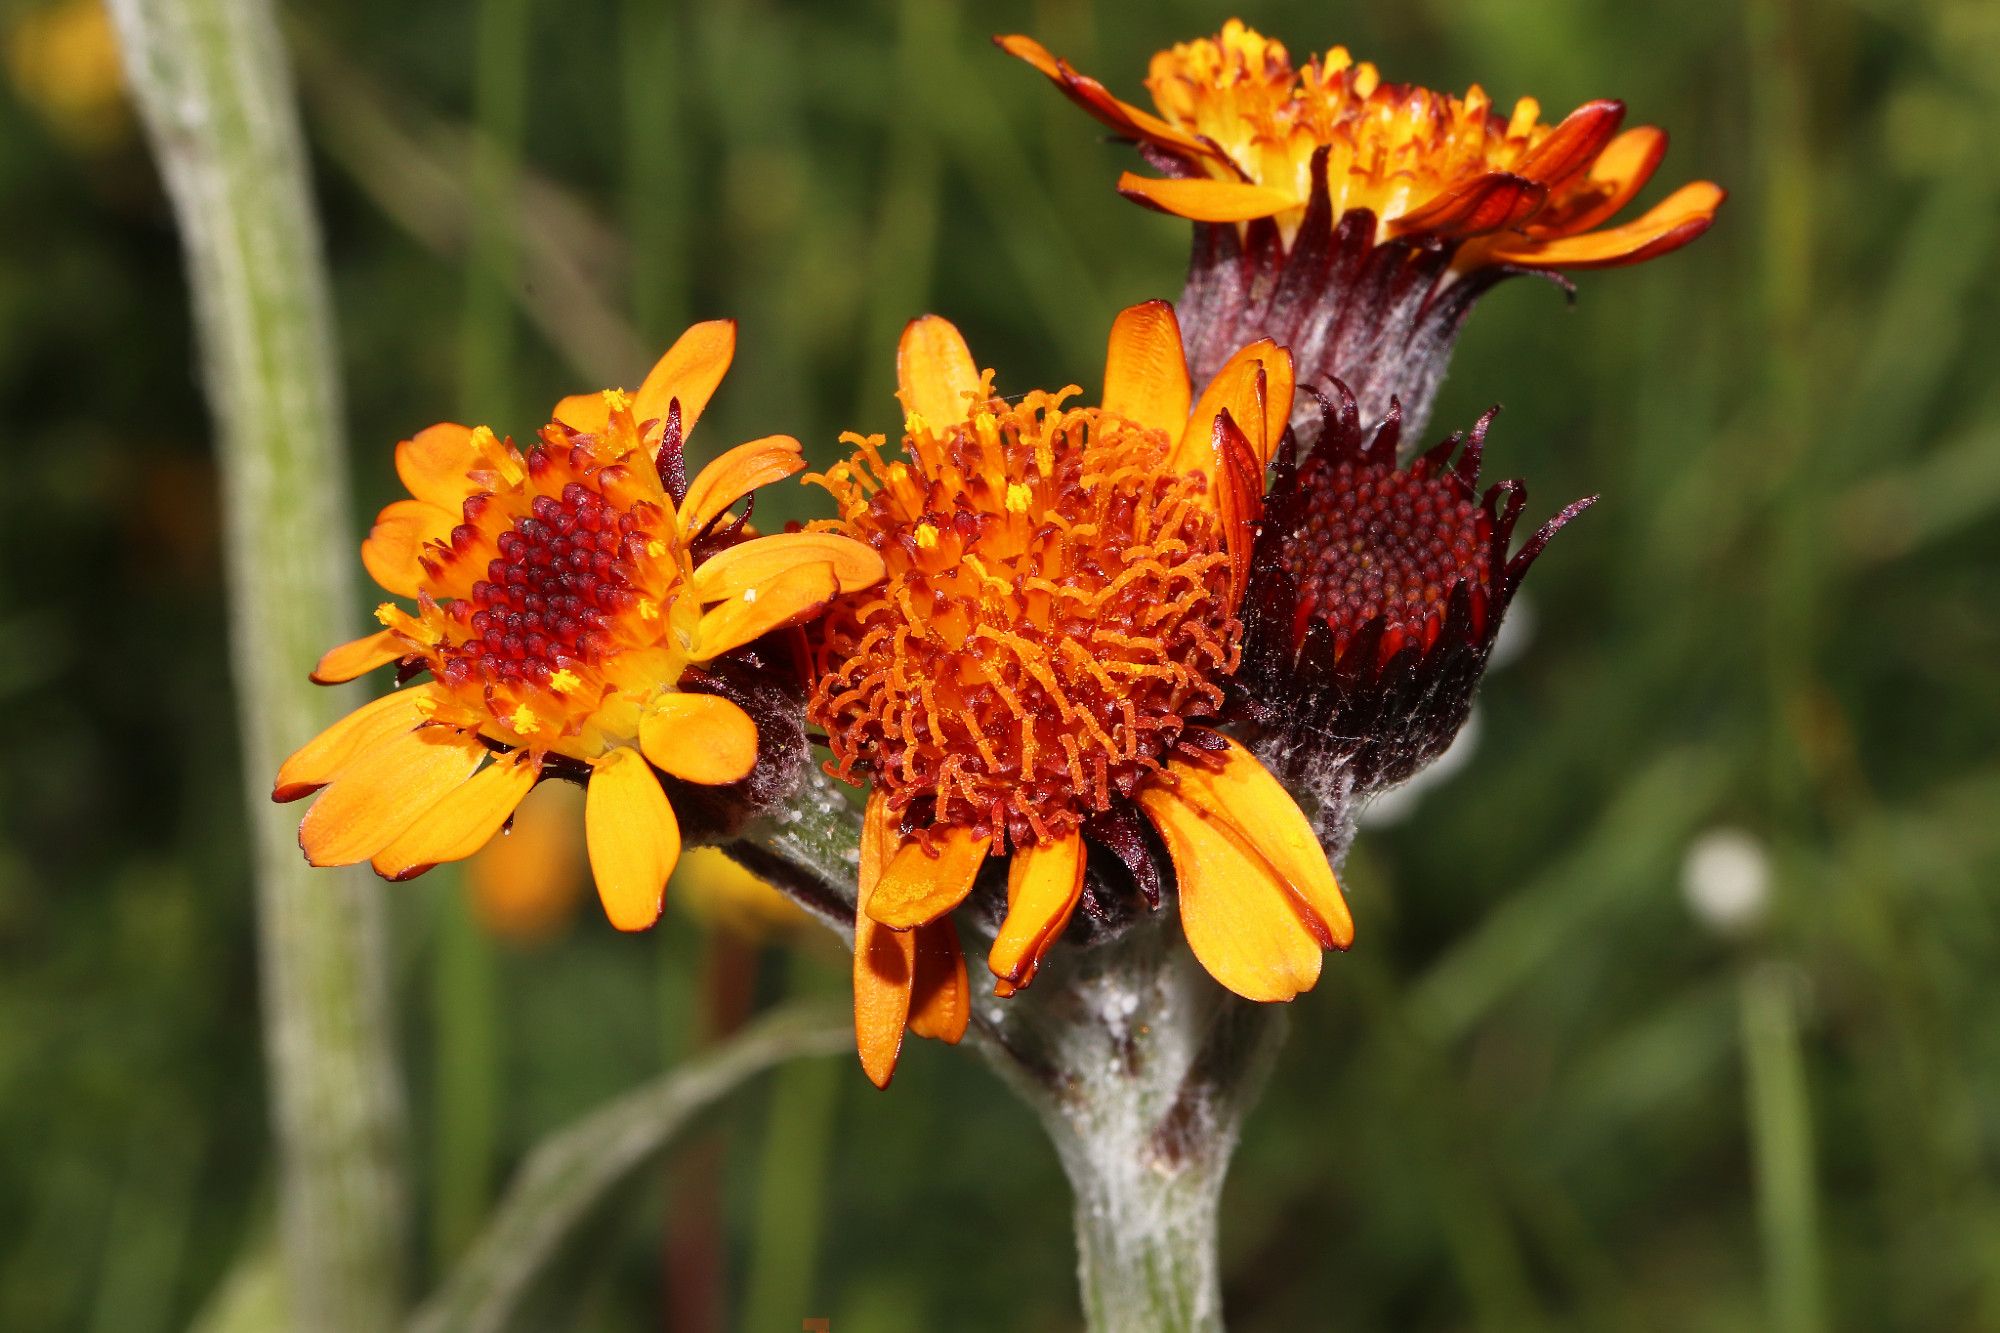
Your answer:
<point x="573" y="1172"/>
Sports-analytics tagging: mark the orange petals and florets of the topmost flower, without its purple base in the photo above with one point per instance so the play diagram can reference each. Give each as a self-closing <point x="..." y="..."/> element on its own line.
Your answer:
<point x="1255" y="137"/>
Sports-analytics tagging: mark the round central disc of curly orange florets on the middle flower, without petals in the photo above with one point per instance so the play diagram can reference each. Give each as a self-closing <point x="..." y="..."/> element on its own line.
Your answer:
<point x="1057" y="607"/>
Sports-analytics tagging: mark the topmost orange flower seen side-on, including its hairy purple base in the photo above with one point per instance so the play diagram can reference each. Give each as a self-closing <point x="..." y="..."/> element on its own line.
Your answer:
<point x="1357" y="221"/>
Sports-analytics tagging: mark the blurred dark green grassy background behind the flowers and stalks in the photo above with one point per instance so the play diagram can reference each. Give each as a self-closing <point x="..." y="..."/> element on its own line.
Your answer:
<point x="1543" y="1092"/>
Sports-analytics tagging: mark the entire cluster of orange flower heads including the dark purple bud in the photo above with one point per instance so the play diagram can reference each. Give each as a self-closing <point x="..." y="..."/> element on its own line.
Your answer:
<point x="1067" y="639"/>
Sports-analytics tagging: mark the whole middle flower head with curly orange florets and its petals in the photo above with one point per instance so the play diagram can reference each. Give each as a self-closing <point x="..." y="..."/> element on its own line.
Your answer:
<point x="1057" y="621"/>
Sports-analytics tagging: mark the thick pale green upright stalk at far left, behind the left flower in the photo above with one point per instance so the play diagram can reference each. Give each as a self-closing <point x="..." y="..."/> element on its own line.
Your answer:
<point x="217" y="99"/>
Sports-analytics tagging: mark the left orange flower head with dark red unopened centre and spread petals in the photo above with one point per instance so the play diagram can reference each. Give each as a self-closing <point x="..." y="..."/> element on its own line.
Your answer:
<point x="567" y="599"/>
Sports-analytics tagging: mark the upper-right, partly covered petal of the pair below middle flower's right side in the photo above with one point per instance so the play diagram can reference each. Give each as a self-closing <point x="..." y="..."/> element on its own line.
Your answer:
<point x="1257" y="806"/>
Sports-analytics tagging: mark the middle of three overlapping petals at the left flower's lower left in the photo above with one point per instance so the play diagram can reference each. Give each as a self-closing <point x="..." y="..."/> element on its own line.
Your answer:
<point x="381" y="794"/>
